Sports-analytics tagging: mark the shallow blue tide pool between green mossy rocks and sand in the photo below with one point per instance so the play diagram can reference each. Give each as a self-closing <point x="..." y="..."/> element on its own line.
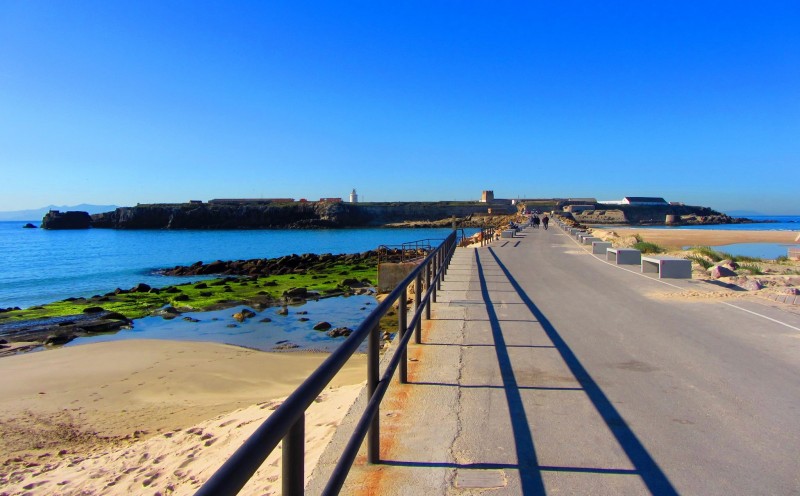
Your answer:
<point x="213" y="326"/>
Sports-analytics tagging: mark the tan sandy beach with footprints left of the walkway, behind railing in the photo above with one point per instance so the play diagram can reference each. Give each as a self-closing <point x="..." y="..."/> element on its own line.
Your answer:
<point x="151" y="415"/>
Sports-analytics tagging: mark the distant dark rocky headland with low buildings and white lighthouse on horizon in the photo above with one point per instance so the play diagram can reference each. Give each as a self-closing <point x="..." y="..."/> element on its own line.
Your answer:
<point x="334" y="213"/>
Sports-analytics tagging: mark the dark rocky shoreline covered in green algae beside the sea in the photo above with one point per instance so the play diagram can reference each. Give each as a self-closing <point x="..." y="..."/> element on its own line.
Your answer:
<point x="259" y="283"/>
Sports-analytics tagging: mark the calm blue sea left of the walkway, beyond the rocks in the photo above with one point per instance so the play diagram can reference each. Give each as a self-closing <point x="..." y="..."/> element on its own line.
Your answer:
<point x="39" y="266"/>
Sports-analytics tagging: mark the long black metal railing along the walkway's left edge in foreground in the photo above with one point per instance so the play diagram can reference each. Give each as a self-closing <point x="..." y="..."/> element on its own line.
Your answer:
<point x="287" y="422"/>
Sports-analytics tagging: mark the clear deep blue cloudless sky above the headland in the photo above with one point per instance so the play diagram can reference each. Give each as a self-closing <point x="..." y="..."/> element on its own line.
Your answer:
<point x="147" y="101"/>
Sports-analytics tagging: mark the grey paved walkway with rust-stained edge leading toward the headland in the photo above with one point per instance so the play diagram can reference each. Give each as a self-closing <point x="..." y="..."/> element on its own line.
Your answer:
<point x="548" y="371"/>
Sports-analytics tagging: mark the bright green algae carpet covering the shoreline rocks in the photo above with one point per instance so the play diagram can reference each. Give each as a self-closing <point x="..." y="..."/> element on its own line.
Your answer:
<point x="207" y="295"/>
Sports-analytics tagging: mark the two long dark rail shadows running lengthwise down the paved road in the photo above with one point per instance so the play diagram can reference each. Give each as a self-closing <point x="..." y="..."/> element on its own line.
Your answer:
<point x="645" y="466"/>
